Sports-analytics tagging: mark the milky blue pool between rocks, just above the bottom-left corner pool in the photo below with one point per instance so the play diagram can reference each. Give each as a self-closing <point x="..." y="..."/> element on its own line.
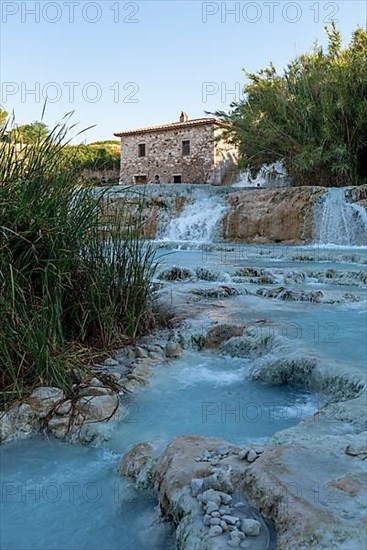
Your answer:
<point x="209" y="395"/>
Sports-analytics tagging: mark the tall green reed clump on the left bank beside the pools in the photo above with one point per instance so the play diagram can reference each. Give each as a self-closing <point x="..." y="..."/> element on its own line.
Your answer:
<point x="71" y="281"/>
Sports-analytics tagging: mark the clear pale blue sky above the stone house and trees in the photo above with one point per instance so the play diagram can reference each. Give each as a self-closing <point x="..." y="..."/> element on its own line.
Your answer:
<point x="132" y="64"/>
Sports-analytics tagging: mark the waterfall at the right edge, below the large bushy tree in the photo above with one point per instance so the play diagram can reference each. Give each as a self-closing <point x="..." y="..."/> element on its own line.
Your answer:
<point x="339" y="222"/>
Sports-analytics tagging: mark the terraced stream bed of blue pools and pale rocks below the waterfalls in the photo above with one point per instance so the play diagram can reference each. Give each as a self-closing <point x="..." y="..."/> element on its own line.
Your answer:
<point x="243" y="426"/>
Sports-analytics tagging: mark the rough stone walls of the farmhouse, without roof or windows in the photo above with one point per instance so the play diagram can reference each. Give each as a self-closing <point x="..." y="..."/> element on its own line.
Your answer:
<point x="164" y="156"/>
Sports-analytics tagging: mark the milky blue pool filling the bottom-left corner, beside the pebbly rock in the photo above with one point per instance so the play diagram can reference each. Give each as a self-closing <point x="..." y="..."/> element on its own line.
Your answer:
<point x="57" y="496"/>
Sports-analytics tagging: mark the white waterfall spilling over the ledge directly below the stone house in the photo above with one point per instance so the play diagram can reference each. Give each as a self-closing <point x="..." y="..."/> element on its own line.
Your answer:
<point x="197" y="222"/>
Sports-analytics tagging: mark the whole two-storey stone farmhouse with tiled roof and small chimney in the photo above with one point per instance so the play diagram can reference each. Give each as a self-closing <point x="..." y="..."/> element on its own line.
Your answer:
<point x="187" y="151"/>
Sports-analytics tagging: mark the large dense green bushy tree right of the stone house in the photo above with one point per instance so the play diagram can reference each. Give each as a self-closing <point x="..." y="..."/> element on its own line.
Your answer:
<point x="313" y="116"/>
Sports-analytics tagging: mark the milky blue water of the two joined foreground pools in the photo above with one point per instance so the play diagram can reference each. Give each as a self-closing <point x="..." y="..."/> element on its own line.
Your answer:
<point x="74" y="496"/>
